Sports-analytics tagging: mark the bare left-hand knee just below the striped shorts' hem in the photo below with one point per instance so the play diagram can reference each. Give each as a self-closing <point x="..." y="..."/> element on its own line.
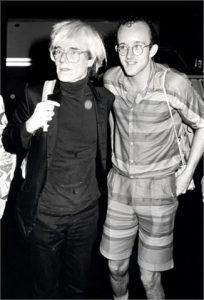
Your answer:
<point x="118" y="267"/>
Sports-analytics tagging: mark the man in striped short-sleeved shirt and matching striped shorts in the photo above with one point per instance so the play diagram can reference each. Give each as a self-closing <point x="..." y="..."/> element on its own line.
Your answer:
<point x="142" y="188"/>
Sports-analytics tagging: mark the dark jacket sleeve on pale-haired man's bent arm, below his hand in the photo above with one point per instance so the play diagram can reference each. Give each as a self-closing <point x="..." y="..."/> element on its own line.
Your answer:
<point x="15" y="138"/>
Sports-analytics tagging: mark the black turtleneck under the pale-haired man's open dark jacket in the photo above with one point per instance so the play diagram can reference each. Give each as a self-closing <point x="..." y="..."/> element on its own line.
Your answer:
<point x="71" y="182"/>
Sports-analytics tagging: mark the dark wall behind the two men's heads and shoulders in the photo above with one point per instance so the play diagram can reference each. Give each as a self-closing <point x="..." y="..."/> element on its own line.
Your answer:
<point x="26" y="25"/>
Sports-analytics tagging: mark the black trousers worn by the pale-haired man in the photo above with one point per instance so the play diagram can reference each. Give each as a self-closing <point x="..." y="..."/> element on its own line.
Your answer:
<point x="60" y="251"/>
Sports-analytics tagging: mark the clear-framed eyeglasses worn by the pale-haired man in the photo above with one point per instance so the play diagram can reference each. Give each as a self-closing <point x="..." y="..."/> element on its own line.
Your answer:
<point x="72" y="54"/>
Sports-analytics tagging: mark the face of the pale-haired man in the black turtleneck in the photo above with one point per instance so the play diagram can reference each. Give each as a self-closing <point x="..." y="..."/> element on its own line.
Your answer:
<point x="67" y="70"/>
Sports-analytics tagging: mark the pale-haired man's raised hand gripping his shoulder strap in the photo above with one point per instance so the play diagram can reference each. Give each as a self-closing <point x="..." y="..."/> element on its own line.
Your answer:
<point x="43" y="113"/>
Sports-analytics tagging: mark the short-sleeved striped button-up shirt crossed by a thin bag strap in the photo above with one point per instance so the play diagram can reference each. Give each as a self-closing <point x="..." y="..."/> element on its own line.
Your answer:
<point x="143" y="139"/>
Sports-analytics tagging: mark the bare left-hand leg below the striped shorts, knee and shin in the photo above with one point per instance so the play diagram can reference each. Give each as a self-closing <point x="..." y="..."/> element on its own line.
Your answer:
<point x="119" y="277"/>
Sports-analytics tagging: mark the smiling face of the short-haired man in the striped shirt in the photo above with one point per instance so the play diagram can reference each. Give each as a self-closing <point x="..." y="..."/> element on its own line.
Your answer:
<point x="136" y="33"/>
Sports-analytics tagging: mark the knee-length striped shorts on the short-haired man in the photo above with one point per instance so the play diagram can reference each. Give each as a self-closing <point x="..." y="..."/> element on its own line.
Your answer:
<point x="144" y="205"/>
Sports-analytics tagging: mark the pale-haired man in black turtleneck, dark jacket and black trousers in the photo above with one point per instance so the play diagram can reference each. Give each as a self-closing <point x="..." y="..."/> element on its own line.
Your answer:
<point x="57" y="206"/>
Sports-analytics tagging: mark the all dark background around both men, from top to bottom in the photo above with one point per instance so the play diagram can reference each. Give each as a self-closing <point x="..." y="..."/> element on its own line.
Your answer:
<point x="180" y="24"/>
